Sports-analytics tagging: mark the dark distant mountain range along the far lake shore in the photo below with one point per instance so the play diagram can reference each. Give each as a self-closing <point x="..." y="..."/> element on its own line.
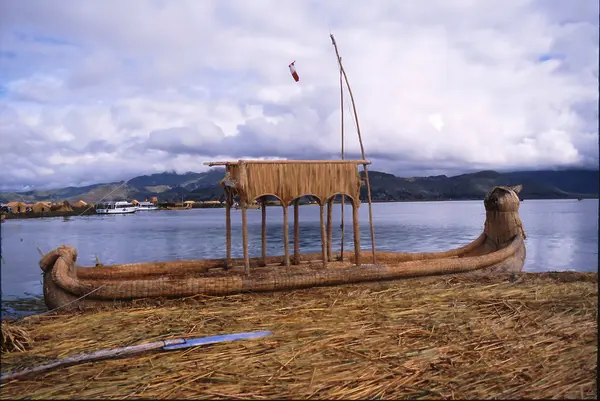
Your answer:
<point x="171" y="187"/>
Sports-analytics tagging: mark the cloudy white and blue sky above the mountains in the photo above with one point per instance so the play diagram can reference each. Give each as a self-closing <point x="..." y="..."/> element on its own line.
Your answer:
<point x="102" y="90"/>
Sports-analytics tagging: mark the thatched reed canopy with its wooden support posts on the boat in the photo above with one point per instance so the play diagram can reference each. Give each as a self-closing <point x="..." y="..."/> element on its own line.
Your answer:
<point x="288" y="181"/>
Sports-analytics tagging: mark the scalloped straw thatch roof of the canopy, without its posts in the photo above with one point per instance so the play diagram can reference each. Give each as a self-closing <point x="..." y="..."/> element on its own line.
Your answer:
<point x="291" y="179"/>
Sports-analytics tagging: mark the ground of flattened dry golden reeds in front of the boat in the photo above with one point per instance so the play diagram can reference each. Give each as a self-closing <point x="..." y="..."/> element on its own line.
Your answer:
<point x="439" y="337"/>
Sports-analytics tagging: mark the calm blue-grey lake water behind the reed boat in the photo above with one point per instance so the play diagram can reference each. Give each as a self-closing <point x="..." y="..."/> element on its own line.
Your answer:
<point x="561" y="235"/>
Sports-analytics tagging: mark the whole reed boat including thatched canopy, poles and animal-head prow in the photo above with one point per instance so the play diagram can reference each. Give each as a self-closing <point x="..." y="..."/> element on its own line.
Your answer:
<point x="499" y="248"/>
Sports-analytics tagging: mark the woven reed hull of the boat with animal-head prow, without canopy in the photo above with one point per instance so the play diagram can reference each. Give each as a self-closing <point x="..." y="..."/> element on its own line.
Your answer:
<point x="67" y="286"/>
